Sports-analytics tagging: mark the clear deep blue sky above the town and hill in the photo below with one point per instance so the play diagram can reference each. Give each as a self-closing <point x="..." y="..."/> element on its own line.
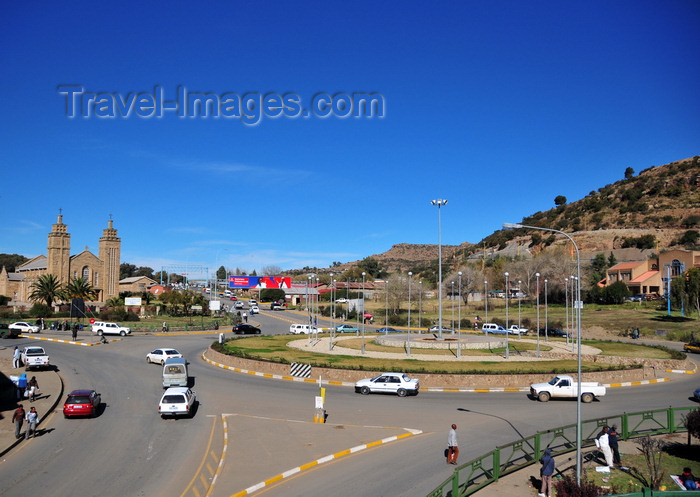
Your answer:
<point x="497" y="106"/>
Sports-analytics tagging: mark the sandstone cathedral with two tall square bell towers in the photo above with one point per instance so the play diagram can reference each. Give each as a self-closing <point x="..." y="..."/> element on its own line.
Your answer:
<point x="101" y="271"/>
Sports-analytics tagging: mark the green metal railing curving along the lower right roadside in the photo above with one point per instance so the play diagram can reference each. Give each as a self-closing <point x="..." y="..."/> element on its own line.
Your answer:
<point x="488" y="468"/>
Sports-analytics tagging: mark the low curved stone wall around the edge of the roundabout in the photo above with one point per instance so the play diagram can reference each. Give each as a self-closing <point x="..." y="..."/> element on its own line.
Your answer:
<point x="452" y="380"/>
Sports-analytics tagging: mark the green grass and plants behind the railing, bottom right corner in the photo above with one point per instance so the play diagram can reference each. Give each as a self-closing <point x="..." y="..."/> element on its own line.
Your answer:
<point x="674" y="459"/>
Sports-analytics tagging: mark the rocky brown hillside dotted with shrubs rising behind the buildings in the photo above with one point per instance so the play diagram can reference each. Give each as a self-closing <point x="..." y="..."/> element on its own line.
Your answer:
<point x="657" y="209"/>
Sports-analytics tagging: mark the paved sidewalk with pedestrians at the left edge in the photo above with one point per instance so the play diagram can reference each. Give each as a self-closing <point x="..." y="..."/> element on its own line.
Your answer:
<point x="50" y="387"/>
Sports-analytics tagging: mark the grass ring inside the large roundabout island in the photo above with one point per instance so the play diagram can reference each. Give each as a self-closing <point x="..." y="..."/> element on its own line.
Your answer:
<point x="274" y="348"/>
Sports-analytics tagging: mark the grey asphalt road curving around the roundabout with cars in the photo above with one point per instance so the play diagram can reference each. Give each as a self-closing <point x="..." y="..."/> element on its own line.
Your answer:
<point x="249" y="429"/>
